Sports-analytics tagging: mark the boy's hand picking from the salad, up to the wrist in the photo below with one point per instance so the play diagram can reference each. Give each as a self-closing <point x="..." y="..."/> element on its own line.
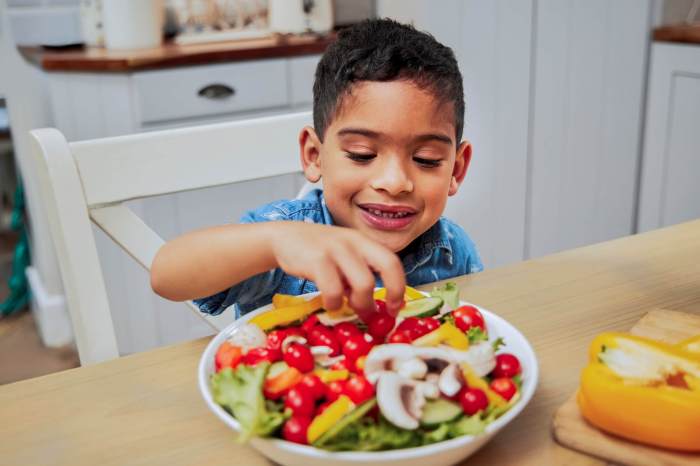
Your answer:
<point x="341" y="262"/>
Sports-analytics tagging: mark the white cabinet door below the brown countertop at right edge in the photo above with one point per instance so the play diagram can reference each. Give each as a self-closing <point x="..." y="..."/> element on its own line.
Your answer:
<point x="669" y="191"/>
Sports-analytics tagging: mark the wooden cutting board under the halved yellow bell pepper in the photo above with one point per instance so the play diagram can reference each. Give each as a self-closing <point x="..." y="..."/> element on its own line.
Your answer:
<point x="572" y="431"/>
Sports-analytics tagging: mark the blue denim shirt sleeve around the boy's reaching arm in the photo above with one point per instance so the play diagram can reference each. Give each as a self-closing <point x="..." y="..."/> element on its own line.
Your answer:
<point x="254" y="291"/>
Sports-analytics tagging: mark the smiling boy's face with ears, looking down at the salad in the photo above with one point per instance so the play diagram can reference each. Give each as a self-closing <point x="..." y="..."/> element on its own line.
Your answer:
<point x="388" y="162"/>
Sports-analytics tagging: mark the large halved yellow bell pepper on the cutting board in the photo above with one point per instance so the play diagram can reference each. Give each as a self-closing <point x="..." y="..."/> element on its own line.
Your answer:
<point x="643" y="390"/>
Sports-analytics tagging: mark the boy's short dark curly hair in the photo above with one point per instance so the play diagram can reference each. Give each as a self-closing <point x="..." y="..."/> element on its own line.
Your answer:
<point x="385" y="50"/>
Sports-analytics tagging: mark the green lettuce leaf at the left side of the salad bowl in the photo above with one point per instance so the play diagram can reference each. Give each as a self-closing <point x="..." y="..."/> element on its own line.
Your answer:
<point x="239" y="391"/>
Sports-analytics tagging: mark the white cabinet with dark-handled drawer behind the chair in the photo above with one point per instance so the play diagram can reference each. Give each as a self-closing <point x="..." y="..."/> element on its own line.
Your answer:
<point x="91" y="105"/>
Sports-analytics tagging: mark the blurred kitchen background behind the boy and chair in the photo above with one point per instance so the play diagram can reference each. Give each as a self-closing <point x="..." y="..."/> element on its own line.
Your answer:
<point x="584" y="118"/>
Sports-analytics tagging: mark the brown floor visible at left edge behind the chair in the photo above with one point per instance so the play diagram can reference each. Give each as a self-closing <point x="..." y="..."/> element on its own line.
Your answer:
<point x="22" y="356"/>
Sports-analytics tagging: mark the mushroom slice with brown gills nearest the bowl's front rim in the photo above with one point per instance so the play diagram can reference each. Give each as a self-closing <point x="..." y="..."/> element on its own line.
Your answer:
<point x="400" y="401"/>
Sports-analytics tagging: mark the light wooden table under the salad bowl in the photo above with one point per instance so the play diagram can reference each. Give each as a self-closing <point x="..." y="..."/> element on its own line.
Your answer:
<point x="145" y="408"/>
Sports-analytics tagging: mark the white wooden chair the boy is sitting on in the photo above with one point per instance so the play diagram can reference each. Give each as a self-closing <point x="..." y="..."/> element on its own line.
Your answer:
<point x="89" y="181"/>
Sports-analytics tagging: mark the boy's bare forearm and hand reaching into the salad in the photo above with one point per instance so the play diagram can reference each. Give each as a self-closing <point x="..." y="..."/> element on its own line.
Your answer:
<point x="340" y="261"/>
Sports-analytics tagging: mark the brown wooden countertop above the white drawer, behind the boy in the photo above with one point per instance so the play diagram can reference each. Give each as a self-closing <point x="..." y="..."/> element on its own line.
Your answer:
<point x="93" y="59"/>
